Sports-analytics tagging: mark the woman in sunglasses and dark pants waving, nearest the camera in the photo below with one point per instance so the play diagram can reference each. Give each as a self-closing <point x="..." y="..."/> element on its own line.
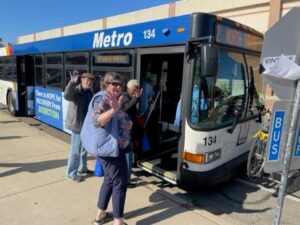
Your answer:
<point x="107" y="112"/>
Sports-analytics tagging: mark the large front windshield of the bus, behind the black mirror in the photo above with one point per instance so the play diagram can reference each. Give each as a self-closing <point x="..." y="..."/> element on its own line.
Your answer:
<point x="214" y="99"/>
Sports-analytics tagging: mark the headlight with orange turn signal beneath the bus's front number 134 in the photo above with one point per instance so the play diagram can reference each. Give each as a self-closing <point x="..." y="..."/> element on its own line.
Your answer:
<point x="202" y="158"/>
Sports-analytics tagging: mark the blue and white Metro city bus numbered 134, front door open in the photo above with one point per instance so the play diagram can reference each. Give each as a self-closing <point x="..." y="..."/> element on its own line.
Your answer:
<point x="199" y="70"/>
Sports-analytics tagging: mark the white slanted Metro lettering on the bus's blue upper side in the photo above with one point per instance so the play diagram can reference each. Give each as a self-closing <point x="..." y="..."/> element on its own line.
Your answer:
<point x="112" y="40"/>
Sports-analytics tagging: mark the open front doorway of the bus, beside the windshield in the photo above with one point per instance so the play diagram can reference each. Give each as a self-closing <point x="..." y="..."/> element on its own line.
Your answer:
<point x="160" y="73"/>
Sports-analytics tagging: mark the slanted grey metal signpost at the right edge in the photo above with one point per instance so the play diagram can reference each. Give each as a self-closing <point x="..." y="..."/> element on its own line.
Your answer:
<point x="287" y="156"/>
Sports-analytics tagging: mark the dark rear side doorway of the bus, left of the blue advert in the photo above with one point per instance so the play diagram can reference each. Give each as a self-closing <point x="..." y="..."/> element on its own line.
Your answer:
<point x="25" y="82"/>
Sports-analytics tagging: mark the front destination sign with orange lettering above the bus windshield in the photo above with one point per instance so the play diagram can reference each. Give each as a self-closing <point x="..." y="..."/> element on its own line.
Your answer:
<point x="236" y="37"/>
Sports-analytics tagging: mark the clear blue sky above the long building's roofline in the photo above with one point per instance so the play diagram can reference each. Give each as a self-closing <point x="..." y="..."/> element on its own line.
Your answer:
<point x="21" y="17"/>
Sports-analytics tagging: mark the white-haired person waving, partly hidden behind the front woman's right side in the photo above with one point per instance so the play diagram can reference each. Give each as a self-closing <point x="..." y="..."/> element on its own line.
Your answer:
<point x="130" y="100"/>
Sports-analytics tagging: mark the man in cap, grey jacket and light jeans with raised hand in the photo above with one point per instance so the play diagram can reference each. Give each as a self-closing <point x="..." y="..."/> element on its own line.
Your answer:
<point x="79" y="96"/>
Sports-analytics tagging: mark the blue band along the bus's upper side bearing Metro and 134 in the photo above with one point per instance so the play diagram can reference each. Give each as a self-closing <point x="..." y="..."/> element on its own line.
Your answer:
<point x="159" y="32"/>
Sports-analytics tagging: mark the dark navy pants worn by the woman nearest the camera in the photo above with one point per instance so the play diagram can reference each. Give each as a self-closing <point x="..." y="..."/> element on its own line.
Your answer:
<point x="114" y="184"/>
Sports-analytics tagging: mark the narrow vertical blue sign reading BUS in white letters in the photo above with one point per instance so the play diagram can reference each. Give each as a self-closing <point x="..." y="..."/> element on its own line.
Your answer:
<point x="276" y="133"/>
